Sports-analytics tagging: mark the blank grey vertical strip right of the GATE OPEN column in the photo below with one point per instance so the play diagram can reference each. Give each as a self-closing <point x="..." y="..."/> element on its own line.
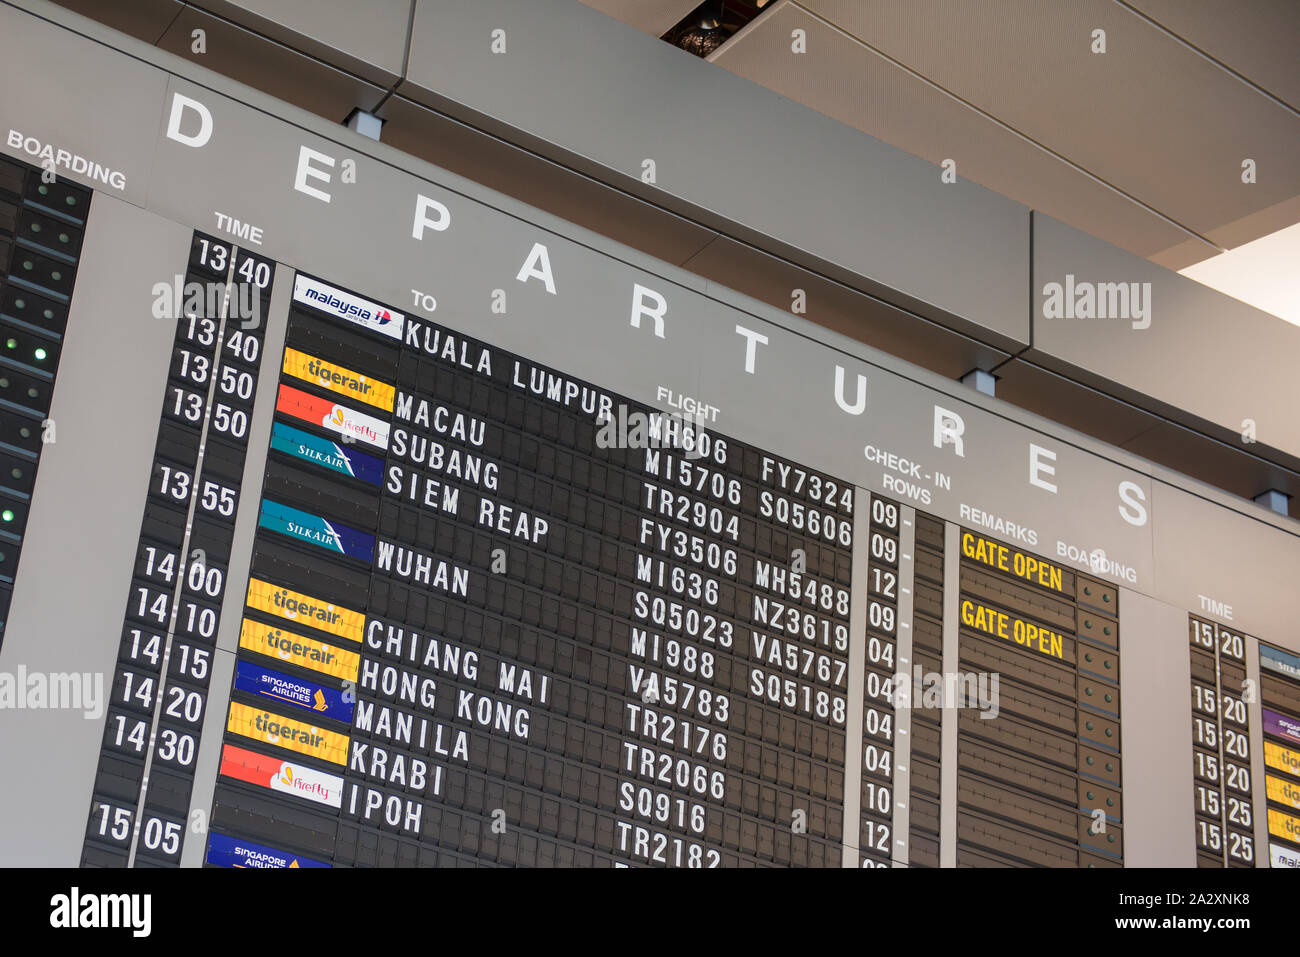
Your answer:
<point x="1156" y="735"/>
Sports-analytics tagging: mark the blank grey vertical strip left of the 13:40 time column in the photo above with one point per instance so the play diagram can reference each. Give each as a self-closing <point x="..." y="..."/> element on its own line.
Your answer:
<point x="85" y="522"/>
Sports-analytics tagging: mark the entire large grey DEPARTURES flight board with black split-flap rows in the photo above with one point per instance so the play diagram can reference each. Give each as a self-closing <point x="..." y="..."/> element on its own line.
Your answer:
<point x="413" y="526"/>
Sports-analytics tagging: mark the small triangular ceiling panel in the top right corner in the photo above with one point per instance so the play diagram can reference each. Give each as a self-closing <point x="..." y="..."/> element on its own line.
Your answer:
<point x="1260" y="40"/>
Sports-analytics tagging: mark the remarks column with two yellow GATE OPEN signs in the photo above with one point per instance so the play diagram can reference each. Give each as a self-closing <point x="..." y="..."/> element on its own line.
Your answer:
<point x="1039" y="772"/>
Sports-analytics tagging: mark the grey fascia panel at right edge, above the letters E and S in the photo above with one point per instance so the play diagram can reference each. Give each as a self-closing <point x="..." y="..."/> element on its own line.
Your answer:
<point x="1194" y="356"/>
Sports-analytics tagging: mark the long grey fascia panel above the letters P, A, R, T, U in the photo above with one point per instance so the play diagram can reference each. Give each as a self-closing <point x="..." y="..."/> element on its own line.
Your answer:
<point x="608" y="97"/>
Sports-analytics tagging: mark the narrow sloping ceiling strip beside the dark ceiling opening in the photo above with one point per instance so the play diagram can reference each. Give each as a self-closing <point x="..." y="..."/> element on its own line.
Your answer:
<point x="857" y="86"/>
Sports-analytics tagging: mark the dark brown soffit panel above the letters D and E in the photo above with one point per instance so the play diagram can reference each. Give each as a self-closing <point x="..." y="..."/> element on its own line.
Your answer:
<point x="271" y="67"/>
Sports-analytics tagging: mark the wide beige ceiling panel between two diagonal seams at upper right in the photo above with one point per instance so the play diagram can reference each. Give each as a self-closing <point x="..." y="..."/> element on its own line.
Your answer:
<point x="1151" y="115"/>
